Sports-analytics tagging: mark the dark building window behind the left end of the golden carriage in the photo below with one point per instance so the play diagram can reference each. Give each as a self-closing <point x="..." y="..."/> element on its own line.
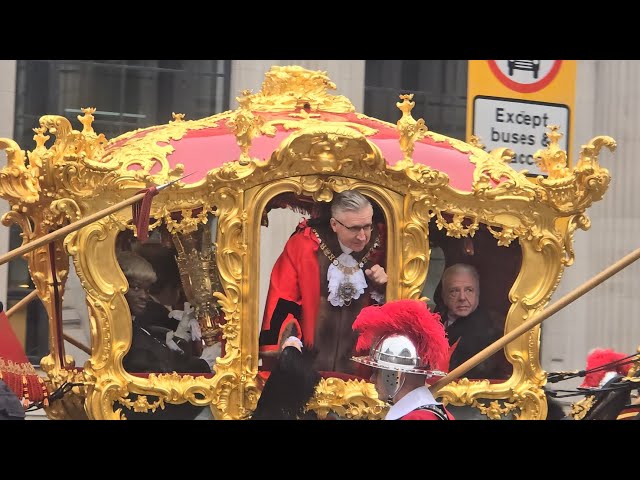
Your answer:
<point x="127" y="95"/>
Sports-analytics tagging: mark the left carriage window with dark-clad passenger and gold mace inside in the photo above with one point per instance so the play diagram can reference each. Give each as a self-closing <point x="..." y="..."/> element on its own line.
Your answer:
<point x="176" y="320"/>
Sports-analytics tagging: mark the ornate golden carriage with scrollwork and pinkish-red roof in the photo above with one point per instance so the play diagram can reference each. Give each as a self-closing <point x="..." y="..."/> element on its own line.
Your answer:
<point x="292" y="139"/>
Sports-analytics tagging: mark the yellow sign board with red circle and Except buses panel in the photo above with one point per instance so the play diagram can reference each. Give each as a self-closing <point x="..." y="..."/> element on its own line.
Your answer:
<point x="510" y="103"/>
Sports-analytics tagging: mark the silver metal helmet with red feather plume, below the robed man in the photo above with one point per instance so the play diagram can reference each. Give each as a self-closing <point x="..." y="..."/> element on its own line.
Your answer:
<point x="402" y="336"/>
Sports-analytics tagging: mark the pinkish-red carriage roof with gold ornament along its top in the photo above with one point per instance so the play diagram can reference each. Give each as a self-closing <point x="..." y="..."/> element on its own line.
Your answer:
<point x="203" y="145"/>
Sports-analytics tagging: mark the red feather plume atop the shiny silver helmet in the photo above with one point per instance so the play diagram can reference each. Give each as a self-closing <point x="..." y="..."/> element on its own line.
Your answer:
<point x="405" y="317"/>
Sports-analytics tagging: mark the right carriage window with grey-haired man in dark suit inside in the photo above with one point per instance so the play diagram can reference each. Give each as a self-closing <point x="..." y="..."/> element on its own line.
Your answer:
<point x="473" y="282"/>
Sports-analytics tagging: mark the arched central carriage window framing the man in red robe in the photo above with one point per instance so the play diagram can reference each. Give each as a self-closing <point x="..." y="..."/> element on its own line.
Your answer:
<point x="337" y="256"/>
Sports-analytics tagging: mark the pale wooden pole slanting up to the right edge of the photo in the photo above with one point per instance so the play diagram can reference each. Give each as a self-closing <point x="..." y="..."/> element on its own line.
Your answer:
<point x="536" y="319"/>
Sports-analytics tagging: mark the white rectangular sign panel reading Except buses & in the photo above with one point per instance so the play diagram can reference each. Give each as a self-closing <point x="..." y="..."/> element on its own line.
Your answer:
<point x="520" y="126"/>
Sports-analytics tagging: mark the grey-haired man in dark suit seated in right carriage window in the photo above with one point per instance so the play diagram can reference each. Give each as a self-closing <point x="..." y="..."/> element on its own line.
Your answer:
<point x="471" y="327"/>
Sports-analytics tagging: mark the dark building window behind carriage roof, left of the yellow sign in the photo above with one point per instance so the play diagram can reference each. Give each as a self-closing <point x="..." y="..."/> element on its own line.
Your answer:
<point x="439" y="88"/>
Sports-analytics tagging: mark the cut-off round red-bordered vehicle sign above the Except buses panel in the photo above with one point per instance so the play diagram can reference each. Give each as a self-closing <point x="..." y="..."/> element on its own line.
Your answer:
<point x="525" y="76"/>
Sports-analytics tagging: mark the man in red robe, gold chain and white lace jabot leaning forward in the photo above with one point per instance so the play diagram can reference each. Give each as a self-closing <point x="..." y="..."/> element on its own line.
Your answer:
<point x="328" y="271"/>
